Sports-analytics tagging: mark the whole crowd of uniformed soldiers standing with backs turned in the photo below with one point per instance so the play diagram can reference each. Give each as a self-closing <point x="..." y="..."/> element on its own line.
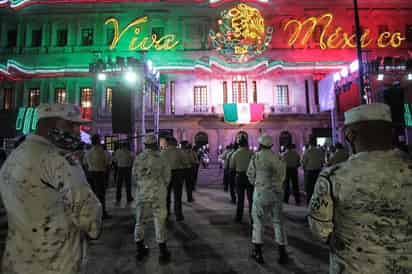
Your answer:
<point x="359" y="205"/>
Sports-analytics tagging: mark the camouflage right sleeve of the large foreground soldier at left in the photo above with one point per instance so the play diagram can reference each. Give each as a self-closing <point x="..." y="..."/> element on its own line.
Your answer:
<point x="79" y="200"/>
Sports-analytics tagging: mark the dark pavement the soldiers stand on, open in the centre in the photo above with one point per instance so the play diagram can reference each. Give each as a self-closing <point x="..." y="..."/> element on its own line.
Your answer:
<point x="206" y="242"/>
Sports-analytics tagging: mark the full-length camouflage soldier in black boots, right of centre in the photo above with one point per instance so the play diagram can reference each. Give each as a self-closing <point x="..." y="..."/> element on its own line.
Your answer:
<point x="266" y="172"/>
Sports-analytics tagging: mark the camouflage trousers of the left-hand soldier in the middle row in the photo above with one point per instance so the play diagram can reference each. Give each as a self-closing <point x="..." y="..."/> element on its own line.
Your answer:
<point x="144" y="211"/>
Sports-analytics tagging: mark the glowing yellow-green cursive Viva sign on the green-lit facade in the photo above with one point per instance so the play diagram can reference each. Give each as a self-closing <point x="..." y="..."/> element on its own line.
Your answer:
<point x="166" y="42"/>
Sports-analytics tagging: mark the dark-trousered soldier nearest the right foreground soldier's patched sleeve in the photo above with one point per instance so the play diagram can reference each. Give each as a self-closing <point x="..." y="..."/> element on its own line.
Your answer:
<point x="312" y="163"/>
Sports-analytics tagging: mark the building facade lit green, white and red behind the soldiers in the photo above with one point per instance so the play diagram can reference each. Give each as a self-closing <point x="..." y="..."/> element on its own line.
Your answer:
<point x="208" y="54"/>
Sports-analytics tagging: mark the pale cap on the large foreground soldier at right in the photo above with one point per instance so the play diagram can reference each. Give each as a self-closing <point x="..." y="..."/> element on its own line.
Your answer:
<point x="368" y="112"/>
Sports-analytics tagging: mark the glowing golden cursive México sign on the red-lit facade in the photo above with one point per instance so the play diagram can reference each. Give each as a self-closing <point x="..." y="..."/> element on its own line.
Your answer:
<point x="337" y="38"/>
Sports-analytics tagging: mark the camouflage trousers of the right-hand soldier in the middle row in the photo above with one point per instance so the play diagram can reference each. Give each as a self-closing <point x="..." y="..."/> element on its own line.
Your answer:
<point x="267" y="205"/>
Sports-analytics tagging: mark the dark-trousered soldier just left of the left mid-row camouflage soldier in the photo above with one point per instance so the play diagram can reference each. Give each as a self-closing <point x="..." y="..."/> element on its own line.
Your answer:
<point x="124" y="161"/>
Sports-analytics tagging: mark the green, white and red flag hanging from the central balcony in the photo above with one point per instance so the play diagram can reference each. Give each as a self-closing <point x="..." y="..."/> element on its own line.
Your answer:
<point x="243" y="113"/>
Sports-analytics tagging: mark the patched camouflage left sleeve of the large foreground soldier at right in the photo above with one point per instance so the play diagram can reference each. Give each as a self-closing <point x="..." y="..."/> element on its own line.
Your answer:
<point x="321" y="210"/>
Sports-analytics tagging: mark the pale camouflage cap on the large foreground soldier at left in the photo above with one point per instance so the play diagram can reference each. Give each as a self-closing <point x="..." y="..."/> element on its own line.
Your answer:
<point x="67" y="112"/>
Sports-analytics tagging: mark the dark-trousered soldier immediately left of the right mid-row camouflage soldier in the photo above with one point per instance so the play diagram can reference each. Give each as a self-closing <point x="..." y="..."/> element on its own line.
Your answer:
<point x="239" y="162"/>
